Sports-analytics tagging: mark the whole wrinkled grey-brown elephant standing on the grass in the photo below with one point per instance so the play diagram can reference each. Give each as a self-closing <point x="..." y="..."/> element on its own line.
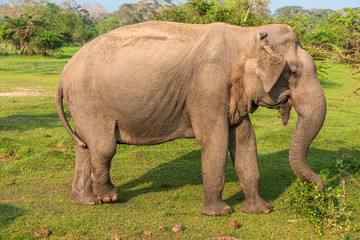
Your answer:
<point x="154" y="82"/>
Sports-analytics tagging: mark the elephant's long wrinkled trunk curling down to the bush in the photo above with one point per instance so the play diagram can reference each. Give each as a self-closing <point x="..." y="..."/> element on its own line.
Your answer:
<point x="310" y="104"/>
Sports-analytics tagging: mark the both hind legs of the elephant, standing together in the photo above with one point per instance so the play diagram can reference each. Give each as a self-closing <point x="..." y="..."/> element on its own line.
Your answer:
<point x="92" y="173"/>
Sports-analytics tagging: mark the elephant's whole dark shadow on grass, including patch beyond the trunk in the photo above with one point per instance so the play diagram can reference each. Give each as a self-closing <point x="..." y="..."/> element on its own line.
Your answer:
<point x="275" y="170"/>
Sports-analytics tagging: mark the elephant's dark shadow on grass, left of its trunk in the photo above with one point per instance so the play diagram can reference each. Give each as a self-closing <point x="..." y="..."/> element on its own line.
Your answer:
<point x="186" y="170"/>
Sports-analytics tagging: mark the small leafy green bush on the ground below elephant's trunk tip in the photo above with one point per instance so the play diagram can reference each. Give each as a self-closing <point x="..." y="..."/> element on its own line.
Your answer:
<point x="326" y="209"/>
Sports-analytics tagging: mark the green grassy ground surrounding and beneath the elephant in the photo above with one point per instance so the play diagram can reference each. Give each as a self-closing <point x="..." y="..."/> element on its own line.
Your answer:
<point x="158" y="185"/>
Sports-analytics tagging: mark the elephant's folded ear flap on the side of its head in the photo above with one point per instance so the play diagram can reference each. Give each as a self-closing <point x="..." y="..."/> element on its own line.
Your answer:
<point x="270" y="63"/>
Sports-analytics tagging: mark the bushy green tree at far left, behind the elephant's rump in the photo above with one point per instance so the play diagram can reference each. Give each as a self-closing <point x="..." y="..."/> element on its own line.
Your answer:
<point x="42" y="27"/>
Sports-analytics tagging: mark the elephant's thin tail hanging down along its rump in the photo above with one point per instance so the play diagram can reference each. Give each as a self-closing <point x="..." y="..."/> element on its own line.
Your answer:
<point x="60" y="109"/>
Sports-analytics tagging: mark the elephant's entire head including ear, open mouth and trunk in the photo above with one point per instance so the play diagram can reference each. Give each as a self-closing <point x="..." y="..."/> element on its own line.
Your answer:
<point x="279" y="75"/>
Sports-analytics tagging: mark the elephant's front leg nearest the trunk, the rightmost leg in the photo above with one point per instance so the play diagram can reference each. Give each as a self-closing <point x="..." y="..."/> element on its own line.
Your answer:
<point x="243" y="152"/>
